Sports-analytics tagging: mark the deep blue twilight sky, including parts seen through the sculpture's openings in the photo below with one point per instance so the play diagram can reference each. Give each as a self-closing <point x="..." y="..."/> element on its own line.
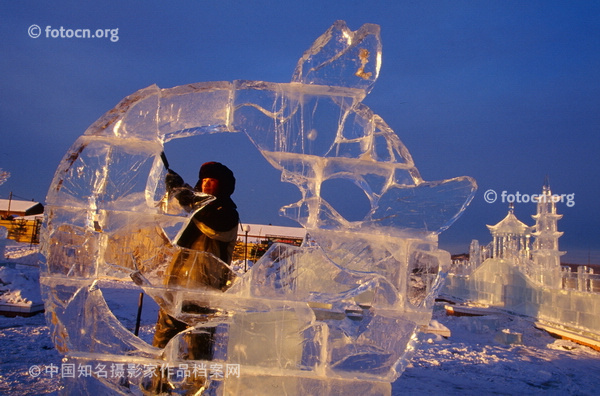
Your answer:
<point x="507" y="92"/>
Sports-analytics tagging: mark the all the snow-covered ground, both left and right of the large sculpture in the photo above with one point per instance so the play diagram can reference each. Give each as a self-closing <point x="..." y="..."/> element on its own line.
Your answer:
<point x="473" y="360"/>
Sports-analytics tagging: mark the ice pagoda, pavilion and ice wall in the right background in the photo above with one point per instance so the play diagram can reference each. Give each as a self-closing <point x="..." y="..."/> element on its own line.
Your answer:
<point x="520" y="272"/>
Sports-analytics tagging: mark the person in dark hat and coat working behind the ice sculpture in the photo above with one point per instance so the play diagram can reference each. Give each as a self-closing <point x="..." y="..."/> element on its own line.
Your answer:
<point x="213" y="230"/>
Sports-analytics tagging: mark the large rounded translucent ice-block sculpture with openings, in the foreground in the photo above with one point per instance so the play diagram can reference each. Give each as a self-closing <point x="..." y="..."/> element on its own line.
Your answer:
<point x="339" y="313"/>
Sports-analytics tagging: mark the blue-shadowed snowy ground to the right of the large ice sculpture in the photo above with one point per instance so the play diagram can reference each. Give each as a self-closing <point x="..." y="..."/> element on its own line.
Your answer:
<point x="471" y="361"/>
